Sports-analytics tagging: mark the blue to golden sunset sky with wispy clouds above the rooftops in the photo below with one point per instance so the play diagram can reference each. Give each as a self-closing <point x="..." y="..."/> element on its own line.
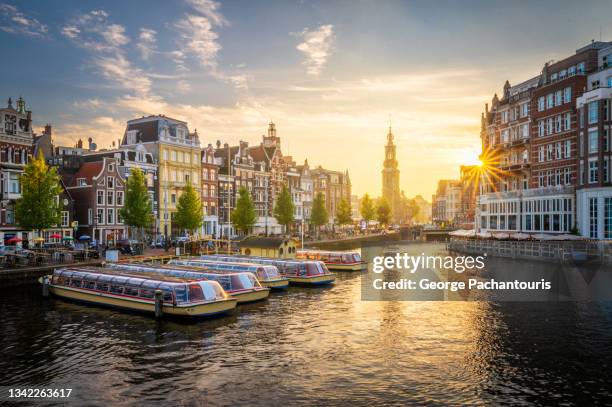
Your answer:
<point x="332" y="75"/>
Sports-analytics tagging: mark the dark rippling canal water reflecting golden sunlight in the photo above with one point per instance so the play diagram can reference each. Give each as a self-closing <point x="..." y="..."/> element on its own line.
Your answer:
<point x="315" y="346"/>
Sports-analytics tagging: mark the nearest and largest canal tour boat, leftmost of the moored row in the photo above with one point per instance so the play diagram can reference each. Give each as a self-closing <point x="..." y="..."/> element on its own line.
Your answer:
<point x="105" y="287"/>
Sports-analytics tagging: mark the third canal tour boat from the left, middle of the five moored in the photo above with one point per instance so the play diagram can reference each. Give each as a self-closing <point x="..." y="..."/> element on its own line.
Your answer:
<point x="268" y="276"/>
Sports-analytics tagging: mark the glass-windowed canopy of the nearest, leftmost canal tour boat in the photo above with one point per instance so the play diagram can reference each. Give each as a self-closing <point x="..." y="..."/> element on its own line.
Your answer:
<point x="108" y="281"/>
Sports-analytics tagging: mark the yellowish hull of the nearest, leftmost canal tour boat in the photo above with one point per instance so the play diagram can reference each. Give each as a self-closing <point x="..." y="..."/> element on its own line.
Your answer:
<point x="195" y="310"/>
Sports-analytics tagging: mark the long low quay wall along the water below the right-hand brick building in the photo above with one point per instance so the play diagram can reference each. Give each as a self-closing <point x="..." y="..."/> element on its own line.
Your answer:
<point x="550" y="251"/>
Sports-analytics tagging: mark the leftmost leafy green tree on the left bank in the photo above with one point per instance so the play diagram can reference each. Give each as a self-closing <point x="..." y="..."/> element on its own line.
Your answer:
<point x="38" y="208"/>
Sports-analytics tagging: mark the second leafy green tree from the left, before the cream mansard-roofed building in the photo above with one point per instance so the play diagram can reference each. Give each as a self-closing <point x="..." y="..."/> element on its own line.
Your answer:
<point x="137" y="211"/>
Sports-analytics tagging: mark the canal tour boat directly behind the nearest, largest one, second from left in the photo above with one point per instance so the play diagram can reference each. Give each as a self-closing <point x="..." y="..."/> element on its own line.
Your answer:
<point x="244" y="287"/>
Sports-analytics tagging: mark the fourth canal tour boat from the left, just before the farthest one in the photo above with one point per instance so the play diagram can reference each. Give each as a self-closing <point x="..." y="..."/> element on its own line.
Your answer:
<point x="297" y="271"/>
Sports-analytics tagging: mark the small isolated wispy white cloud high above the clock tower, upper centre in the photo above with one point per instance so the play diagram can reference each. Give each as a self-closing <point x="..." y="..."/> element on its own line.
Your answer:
<point x="317" y="47"/>
